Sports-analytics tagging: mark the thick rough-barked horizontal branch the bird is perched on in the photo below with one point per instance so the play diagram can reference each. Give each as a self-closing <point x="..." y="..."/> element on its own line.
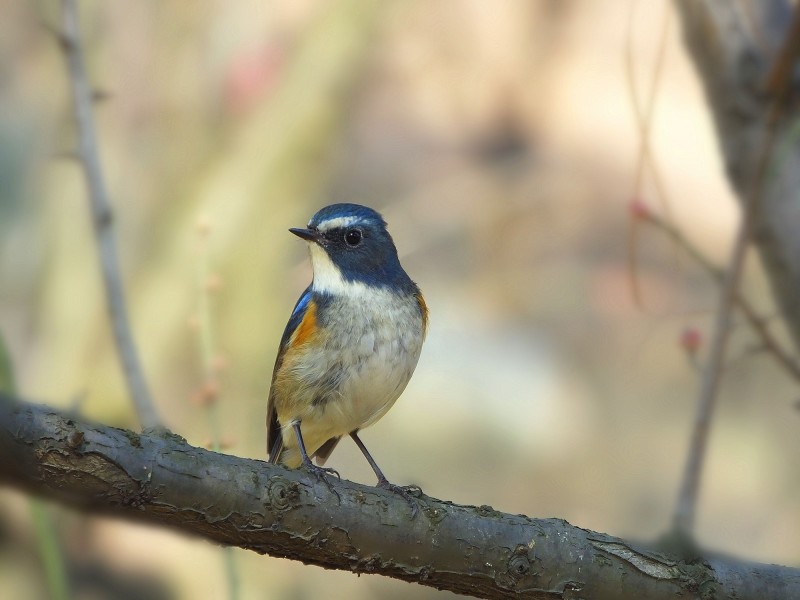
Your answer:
<point x="159" y="478"/>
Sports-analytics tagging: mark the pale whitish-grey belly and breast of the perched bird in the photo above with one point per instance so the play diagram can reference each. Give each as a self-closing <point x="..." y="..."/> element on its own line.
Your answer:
<point x="351" y="379"/>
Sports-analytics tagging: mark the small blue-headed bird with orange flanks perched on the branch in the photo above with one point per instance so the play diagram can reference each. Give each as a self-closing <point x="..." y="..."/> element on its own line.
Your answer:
<point x="351" y="344"/>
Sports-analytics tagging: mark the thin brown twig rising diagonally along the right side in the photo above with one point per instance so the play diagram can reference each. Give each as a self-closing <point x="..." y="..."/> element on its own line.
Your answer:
<point x="687" y="498"/>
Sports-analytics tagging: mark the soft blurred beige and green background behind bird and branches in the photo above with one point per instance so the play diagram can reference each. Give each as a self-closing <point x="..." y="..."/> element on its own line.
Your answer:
<point x="499" y="141"/>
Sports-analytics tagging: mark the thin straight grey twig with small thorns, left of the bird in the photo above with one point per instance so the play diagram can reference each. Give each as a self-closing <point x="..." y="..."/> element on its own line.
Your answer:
<point x="102" y="218"/>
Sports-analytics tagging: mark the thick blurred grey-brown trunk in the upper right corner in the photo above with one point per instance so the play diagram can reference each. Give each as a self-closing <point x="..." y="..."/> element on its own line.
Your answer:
<point x="743" y="52"/>
